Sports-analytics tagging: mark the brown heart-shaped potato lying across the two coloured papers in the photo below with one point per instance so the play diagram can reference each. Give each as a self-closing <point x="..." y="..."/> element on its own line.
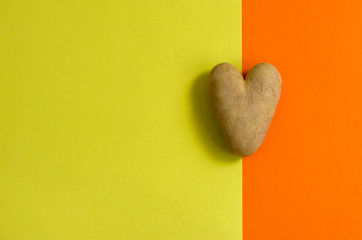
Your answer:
<point x="244" y="108"/>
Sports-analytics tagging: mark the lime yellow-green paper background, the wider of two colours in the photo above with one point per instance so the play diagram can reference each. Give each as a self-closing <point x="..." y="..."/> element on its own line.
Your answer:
<point x="105" y="127"/>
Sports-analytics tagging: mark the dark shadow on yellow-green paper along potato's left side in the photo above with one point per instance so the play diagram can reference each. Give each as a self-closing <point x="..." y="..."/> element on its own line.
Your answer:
<point x="206" y="125"/>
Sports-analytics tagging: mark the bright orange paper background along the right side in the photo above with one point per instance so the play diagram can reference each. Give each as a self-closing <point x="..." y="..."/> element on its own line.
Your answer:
<point x="305" y="182"/>
